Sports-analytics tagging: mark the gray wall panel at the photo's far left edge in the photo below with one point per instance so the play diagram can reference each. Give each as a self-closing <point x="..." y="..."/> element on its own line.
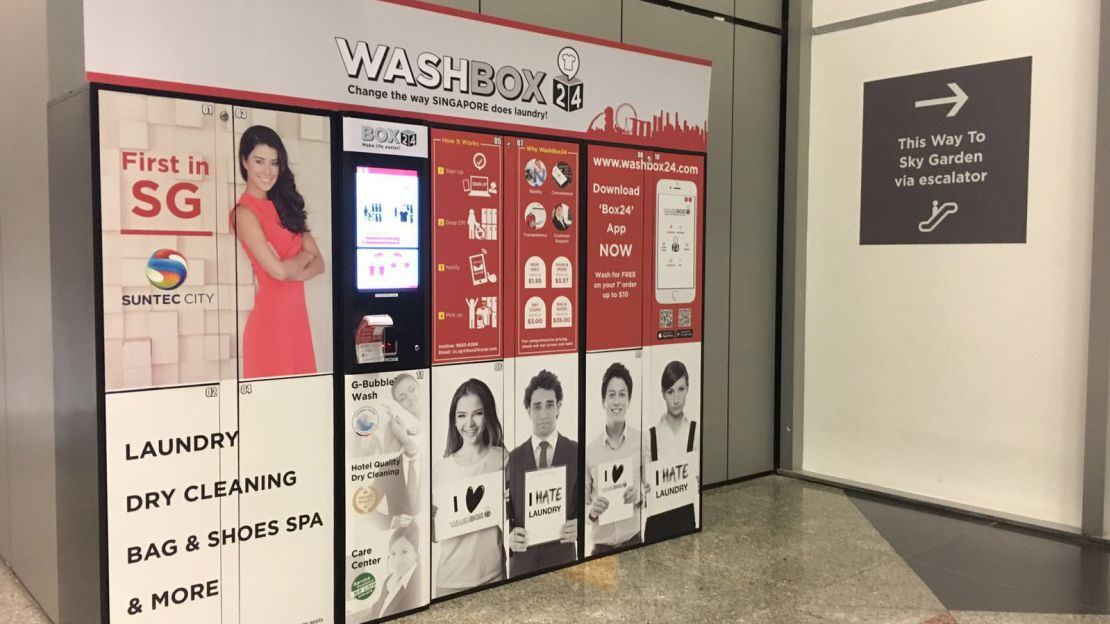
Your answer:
<point x="28" y="344"/>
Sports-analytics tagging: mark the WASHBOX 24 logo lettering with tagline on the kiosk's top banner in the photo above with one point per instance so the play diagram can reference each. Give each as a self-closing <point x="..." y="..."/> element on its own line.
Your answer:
<point x="435" y="73"/>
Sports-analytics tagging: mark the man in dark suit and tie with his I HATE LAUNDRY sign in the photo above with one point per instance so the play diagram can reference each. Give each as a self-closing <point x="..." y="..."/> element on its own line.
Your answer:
<point x="543" y="477"/>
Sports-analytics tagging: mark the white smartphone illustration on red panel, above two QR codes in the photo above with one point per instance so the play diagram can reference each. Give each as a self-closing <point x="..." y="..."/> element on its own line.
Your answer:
<point x="675" y="241"/>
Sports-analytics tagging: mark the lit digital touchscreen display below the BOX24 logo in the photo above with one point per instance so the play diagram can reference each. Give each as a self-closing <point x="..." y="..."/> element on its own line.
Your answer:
<point x="387" y="229"/>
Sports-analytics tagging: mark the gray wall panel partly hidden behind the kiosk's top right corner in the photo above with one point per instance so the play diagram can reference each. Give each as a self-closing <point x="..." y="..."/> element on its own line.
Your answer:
<point x="657" y="27"/>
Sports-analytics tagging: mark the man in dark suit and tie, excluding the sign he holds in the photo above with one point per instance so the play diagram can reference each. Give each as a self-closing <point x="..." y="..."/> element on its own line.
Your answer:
<point x="546" y="448"/>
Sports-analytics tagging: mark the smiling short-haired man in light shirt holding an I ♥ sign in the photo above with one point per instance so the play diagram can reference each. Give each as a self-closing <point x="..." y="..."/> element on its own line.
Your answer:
<point x="613" y="469"/>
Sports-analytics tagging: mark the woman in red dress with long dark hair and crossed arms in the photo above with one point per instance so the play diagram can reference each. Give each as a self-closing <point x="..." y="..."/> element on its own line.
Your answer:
<point x="270" y="223"/>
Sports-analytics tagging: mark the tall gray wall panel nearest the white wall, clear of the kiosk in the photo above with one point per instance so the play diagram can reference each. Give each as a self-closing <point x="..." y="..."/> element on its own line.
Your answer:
<point x="754" y="240"/>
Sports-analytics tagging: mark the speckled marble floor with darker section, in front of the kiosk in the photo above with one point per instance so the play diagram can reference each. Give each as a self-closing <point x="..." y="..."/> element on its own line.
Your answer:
<point x="778" y="550"/>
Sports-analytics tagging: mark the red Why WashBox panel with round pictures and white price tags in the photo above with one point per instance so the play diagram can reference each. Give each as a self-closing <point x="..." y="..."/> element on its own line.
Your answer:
<point x="547" y="255"/>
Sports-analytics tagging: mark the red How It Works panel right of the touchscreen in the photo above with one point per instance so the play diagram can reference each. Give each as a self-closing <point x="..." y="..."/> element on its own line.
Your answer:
<point x="467" y="247"/>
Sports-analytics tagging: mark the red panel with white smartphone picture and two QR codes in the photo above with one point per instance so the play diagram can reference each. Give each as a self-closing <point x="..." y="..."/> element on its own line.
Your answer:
<point x="674" y="218"/>
